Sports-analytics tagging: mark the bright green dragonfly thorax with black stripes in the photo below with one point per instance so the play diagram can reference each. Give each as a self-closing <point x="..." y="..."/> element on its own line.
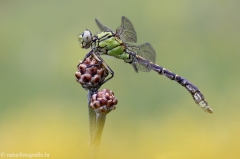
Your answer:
<point x="109" y="44"/>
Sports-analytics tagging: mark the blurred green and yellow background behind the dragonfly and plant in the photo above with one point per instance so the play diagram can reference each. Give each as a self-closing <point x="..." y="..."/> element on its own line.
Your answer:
<point x="43" y="109"/>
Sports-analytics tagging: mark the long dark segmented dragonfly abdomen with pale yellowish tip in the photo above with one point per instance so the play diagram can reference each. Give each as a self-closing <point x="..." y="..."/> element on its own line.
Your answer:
<point x="193" y="90"/>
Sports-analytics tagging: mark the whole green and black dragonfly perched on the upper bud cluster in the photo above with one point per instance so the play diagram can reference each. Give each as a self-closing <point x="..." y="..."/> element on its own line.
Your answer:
<point x="142" y="57"/>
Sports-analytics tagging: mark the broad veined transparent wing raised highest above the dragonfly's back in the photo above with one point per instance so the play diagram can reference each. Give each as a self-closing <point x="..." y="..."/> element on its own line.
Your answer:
<point x="126" y="31"/>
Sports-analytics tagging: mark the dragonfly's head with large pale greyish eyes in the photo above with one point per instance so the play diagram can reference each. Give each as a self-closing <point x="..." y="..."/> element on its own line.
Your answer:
<point x="85" y="39"/>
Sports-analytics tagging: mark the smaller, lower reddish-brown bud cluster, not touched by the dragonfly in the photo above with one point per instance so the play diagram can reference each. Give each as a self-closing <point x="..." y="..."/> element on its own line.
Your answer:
<point x="103" y="101"/>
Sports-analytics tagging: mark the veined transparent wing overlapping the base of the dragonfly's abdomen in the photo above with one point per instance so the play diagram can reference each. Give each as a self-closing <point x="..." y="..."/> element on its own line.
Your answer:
<point x="146" y="54"/>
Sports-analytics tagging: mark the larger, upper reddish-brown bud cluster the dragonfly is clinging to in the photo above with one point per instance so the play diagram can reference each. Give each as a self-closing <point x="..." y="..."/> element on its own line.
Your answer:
<point x="91" y="73"/>
